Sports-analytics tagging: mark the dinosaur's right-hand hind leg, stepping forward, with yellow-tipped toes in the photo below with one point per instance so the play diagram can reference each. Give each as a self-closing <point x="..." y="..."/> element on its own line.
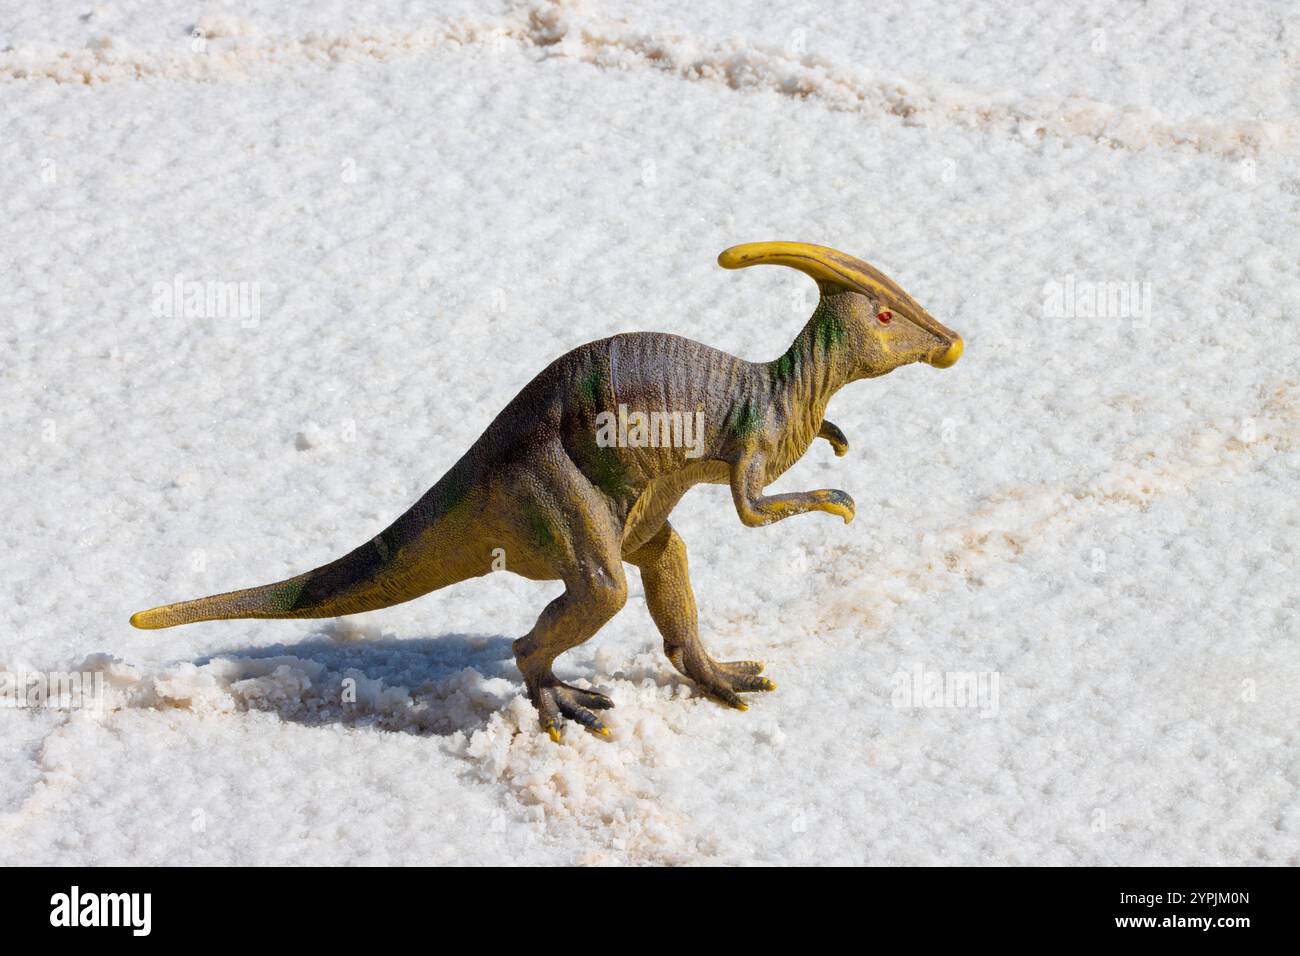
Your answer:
<point x="673" y="605"/>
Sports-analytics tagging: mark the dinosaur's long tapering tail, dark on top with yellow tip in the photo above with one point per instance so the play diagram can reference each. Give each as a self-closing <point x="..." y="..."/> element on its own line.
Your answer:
<point x="423" y="551"/>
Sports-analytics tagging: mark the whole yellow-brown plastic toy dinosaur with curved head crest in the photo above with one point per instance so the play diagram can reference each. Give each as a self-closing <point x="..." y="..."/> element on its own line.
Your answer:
<point x="580" y="471"/>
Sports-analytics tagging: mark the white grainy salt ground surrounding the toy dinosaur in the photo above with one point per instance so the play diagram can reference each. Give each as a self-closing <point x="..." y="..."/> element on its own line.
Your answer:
<point x="434" y="204"/>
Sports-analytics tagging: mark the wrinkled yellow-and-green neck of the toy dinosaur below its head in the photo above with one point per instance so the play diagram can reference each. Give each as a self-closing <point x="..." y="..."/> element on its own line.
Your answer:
<point x="816" y="366"/>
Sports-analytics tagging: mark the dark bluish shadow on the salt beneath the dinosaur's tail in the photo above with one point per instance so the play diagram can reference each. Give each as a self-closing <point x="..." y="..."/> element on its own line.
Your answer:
<point x="424" y="686"/>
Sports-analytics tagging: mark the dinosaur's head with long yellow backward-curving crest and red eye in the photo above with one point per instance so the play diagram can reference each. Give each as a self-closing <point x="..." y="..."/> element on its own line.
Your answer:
<point x="885" y="327"/>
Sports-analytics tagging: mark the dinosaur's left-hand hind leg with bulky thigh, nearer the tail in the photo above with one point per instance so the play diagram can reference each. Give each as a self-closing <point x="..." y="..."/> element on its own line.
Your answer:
<point x="570" y="529"/>
